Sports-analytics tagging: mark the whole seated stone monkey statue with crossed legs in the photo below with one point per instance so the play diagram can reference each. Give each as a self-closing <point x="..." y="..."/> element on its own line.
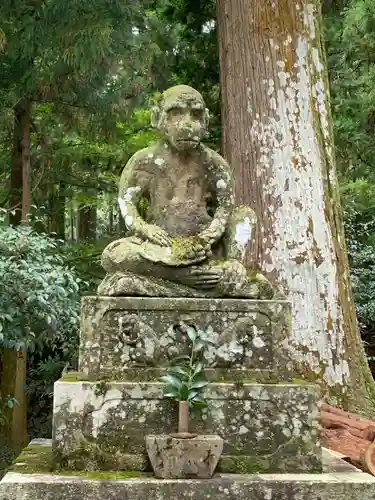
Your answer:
<point x="185" y="237"/>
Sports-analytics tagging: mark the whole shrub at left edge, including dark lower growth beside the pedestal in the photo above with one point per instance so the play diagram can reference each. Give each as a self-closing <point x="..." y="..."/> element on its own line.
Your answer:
<point x="39" y="312"/>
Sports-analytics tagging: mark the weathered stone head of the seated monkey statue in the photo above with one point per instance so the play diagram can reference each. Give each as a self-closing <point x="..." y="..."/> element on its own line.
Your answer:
<point x="182" y="117"/>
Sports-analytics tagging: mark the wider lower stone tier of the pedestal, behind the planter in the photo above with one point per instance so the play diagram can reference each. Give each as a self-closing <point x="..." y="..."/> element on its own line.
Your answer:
<point x="265" y="427"/>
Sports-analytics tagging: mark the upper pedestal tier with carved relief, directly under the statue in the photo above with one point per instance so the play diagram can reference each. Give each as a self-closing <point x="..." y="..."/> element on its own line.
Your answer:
<point x="125" y="336"/>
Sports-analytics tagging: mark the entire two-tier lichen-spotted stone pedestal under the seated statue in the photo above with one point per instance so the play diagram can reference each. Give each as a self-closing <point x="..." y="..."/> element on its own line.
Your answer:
<point x="103" y="413"/>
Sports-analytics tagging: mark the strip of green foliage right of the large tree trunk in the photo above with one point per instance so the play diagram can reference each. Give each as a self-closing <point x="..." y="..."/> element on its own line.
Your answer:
<point x="350" y="41"/>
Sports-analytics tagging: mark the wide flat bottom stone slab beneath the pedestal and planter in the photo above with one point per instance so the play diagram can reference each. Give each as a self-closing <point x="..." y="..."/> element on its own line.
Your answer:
<point x="340" y="481"/>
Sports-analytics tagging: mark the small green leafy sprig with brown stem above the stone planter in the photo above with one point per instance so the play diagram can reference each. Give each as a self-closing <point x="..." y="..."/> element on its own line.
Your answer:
<point x="186" y="378"/>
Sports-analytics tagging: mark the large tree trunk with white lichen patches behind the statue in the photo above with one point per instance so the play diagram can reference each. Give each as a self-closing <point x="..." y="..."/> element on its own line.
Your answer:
<point x="278" y="138"/>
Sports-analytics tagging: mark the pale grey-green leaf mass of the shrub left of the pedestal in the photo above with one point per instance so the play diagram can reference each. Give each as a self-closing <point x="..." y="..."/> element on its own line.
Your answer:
<point x="38" y="292"/>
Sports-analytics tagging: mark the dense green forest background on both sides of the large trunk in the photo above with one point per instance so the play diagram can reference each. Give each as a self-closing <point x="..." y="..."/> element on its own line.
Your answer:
<point x="77" y="81"/>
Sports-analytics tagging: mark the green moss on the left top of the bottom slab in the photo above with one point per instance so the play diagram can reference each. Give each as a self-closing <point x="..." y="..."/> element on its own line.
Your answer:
<point x="38" y="459"/>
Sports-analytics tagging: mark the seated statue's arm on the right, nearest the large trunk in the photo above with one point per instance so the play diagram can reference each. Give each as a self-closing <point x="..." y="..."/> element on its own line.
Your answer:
<point x="222" y="186"/>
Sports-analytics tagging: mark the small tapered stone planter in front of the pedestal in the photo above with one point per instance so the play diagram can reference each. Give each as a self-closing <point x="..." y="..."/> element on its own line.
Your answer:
<point x="177" y="458"/>
